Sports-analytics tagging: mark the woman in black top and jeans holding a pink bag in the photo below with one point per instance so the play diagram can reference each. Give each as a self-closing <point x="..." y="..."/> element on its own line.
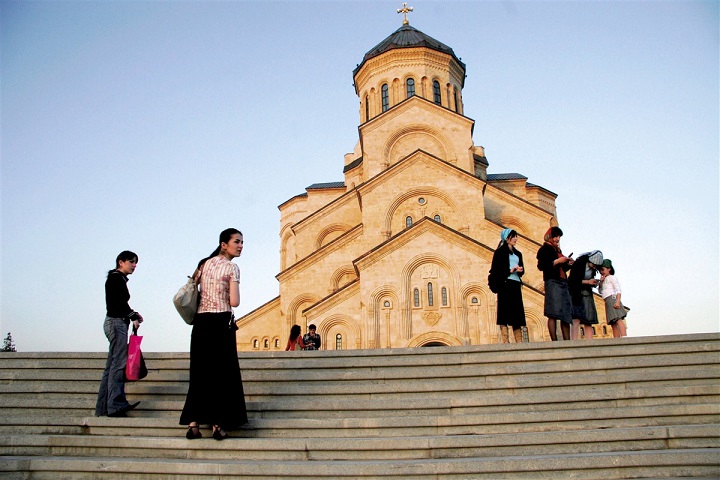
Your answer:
<point x="111" y="399"/>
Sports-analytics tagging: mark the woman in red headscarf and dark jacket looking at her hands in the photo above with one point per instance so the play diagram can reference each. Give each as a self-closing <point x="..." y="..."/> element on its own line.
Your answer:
<point x="554" y="266"/>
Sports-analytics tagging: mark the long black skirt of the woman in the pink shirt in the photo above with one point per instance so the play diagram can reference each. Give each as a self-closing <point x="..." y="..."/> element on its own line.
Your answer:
<point x="215" y="395"/>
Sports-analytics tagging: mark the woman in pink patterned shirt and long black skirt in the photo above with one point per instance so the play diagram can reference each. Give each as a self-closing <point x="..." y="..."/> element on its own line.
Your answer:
<point x="215" y="396"/>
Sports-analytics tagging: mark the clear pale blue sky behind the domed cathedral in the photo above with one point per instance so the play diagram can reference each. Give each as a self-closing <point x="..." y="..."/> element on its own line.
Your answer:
<point x="153" y="125"/>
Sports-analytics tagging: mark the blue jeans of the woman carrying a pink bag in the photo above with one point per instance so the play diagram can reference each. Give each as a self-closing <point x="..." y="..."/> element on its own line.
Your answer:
<point x="111" y="397"/>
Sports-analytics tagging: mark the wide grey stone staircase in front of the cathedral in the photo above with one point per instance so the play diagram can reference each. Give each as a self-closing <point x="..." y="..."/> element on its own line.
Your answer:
<point x="622" y="408"/>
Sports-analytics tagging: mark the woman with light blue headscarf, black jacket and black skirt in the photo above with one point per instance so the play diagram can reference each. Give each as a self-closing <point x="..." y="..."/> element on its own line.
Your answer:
<point x="505" y="272"/>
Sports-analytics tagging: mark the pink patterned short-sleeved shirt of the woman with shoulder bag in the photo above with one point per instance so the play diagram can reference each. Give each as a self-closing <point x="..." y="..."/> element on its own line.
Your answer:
<point x="215" y="280"/>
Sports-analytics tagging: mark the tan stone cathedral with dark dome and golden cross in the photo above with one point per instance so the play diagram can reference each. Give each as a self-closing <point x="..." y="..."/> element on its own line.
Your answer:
<point x="397" y="254"/>
